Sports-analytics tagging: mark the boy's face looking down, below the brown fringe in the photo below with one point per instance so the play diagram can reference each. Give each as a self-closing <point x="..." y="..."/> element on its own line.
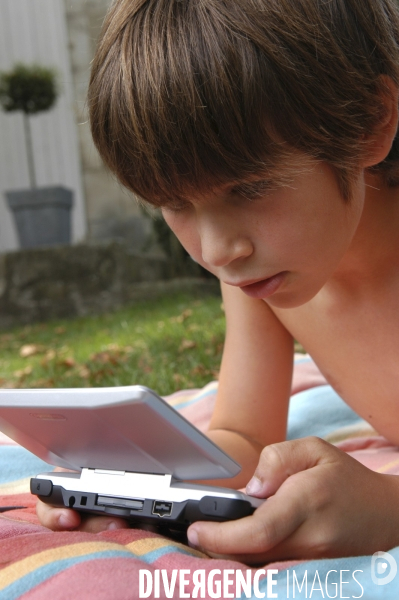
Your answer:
<point x="282" y="244"/>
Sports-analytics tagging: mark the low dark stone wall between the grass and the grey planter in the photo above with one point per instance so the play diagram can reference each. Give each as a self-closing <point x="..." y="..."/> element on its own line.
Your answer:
<point x="43" y="284"/>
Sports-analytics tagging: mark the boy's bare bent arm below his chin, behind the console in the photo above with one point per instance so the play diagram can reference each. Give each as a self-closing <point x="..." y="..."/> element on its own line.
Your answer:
<point x="255" y="382"/>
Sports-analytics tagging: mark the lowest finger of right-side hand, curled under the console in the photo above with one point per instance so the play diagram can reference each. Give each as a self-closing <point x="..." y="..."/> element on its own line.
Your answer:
<point x="272" y="523"/>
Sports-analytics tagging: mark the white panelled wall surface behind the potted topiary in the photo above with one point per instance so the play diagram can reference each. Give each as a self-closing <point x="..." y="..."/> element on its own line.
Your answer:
<point x="35" y="31"/>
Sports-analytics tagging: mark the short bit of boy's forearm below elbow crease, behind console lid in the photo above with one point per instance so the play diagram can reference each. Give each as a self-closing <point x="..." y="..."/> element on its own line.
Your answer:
<point x="244" y="450"/>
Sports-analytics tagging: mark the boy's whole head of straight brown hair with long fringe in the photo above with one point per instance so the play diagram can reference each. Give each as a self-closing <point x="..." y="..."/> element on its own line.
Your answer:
<point x="186" y="95"/>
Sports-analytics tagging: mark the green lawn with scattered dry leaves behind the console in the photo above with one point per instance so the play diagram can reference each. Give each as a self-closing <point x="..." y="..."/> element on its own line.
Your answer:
<point x="167" y="344"/>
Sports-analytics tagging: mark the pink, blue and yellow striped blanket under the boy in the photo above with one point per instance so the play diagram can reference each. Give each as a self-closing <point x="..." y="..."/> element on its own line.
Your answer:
<point x="37" y="564"/>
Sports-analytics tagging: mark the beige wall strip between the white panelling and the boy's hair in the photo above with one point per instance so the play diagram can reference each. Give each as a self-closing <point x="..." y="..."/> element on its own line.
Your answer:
<point x="112" y="211"/>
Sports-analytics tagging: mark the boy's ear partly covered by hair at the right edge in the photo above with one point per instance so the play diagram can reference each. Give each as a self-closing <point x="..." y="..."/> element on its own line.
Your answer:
<point x="380" y="141"/>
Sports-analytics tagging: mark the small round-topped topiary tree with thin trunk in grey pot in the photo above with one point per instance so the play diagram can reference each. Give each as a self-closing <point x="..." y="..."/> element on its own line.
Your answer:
<point x="42" y="215"/>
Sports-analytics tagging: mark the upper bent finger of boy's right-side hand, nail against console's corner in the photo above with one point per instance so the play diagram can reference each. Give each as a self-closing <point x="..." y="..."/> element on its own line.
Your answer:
<point x="279" y="461"/>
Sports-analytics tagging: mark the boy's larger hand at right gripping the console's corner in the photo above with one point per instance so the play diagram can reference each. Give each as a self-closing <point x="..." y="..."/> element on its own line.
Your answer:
<point x="323" y="503"/>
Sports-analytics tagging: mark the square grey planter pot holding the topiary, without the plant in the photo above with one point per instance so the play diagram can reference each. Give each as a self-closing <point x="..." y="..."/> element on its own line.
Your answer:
<point x="42" y="215"/>
